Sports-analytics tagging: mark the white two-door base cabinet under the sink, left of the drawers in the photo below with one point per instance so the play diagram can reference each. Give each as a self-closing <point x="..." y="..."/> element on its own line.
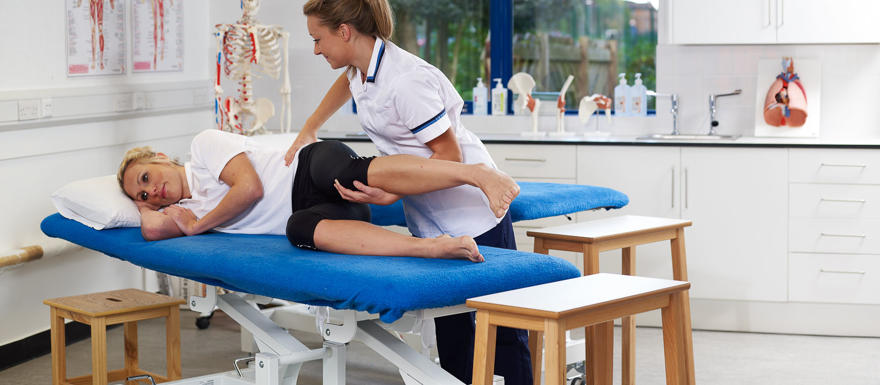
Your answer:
<point x="737" y="199"/>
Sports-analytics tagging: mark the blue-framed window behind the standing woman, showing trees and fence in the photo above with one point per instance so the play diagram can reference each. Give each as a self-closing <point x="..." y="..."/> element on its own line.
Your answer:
<point x="594" y="40"/>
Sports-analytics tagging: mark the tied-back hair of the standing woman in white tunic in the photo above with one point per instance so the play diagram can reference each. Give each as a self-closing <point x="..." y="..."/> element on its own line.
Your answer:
<point x="370" y="17"/>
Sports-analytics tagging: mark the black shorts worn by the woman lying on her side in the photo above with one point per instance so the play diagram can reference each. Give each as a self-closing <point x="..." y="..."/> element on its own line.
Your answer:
<point x="314" y="197"/>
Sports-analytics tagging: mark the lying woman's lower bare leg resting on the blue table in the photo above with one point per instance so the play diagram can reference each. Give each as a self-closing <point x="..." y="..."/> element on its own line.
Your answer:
<point x="357" y="237"/>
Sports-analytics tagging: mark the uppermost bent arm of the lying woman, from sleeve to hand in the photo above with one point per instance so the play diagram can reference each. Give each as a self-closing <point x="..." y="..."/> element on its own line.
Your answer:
<point x="245" y="189"/>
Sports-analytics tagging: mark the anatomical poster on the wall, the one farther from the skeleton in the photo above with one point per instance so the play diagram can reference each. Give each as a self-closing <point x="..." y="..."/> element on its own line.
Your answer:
<point x="95" y="37"/>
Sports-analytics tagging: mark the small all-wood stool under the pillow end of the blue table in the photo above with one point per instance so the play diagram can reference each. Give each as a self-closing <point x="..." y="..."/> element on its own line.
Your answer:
<point x="109" y="308"/>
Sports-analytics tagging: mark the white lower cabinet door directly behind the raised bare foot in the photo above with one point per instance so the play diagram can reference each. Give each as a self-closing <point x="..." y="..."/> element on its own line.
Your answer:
<point x="650" y="177"/>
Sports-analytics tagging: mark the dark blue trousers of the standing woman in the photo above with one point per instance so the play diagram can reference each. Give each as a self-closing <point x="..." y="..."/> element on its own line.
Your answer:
<point x="455" y="333"/>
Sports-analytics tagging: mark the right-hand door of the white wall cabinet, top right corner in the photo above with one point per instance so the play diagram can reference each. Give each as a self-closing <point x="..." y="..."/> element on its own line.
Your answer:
<point x="822" y="21"/>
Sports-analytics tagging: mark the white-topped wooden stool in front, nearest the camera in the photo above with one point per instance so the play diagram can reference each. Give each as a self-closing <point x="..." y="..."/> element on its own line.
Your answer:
<point x="555" y="307"/>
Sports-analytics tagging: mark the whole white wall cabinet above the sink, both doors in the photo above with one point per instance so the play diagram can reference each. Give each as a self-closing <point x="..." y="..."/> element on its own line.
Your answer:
<point x="773" y="21"/>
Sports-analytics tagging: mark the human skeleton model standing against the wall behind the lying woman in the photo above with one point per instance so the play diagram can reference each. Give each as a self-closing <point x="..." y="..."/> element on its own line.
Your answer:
<point x="243" y="48"/>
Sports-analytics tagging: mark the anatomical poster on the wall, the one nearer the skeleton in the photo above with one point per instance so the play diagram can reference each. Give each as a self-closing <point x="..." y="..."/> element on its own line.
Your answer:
<point x="157" y="35"/>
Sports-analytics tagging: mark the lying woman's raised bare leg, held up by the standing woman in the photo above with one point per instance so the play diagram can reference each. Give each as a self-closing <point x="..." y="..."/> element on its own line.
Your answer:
<point x="408" y="175"/>
